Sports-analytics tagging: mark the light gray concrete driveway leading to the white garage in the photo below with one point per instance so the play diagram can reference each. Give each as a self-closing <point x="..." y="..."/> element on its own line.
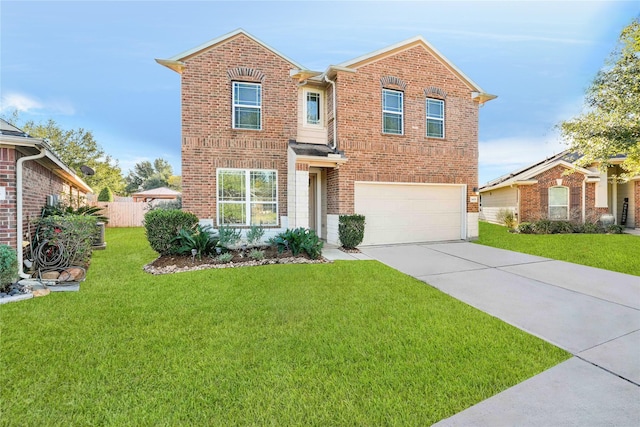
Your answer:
<point x="592" y="313"/>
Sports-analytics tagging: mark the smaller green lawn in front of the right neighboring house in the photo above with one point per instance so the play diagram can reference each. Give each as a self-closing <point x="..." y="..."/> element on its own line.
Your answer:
<point x="615" y="252"/>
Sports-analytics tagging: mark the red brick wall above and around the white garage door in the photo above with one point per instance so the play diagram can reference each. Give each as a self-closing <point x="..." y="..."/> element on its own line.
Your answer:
<point x="411" y="157"/>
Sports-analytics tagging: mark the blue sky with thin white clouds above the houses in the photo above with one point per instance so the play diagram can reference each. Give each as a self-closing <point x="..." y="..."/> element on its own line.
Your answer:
<point x="90" y="64"/>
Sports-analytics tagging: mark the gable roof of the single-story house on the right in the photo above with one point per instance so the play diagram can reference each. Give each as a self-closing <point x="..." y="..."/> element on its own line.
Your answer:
<point x="525" y="175"/>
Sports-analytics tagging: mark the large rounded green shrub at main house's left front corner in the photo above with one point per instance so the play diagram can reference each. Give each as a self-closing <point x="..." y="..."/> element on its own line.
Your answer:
<point x="162" y="225"/>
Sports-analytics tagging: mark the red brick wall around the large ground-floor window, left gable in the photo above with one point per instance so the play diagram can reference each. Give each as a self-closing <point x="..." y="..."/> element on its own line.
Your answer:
<point x="208" y="140"/>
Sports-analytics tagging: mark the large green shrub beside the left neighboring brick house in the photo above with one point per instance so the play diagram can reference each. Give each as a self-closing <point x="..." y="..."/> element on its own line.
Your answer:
<point x="71" y="236"/>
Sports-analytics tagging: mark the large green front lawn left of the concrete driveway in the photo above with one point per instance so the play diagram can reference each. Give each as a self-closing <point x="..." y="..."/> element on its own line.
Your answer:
<point x="347" y="343"/>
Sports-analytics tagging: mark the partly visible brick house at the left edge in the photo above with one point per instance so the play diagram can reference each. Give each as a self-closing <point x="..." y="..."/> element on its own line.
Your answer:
<point x="43" y="179"/>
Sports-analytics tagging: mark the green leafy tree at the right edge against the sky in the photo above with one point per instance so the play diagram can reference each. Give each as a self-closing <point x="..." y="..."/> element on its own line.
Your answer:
<point x="611" y="124"/>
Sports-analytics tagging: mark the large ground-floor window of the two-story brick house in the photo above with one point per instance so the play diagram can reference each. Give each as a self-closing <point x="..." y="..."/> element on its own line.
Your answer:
<point x="247" y="197"/>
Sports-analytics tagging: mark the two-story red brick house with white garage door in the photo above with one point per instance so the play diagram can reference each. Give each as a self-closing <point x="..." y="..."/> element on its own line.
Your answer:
<point x="392" y="135"/>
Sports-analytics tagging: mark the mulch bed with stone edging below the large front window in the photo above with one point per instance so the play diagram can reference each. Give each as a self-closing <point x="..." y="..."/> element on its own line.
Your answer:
<point x="168" y="264"/>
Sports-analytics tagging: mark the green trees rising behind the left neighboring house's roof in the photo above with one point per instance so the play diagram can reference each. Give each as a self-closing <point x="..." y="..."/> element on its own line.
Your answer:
<point x="77" y="148"/>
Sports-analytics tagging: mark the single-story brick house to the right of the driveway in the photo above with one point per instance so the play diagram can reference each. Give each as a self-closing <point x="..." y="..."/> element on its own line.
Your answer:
<point x="545" y="190"/>
